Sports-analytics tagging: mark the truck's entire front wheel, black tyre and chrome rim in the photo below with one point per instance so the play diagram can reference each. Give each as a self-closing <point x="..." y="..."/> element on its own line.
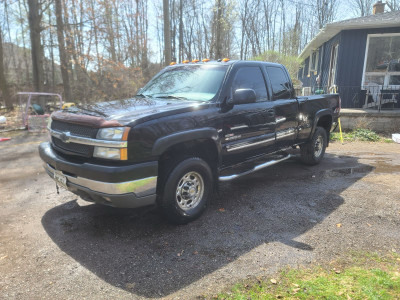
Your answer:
<point x="186" y="190"/>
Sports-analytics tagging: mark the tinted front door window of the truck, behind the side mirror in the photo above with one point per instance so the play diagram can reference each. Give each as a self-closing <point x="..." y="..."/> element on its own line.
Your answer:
<point x="251" y="78"/>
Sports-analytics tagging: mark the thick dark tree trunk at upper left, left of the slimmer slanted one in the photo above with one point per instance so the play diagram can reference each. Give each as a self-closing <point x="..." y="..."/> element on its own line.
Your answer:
<point x="36" y="45"/>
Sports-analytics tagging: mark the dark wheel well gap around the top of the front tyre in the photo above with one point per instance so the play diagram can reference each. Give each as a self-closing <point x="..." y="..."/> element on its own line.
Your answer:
<point x="205" y="149"/>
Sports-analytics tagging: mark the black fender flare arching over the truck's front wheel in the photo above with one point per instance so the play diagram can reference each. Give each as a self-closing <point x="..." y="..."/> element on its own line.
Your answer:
<point x="165" y="142"/>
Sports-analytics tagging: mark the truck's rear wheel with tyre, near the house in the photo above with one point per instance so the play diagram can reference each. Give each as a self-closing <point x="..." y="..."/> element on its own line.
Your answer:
<point x="313" y="151"/>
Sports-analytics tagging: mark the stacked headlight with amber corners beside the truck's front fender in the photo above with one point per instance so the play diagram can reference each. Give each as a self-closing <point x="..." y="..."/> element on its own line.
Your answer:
<point x="112" y="134"/>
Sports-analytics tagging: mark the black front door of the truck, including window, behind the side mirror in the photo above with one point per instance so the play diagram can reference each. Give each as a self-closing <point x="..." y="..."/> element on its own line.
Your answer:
<point x="248" y="129"/>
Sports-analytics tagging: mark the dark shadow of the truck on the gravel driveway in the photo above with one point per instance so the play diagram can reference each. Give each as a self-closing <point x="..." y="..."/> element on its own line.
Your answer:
<point x="136" y="250"/>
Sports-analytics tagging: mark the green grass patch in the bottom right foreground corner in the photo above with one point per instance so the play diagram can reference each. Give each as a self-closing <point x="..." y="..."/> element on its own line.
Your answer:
<point x="362" y="276"/>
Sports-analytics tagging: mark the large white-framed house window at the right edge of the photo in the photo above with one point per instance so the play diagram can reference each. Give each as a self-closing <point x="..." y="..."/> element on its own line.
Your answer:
<point x="382" y="60"/>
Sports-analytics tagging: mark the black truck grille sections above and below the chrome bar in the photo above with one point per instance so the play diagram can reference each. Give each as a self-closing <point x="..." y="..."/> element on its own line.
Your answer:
<point x="74" y="129"/>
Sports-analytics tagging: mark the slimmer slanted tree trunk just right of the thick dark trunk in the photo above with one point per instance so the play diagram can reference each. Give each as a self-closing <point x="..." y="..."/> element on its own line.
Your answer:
<point x="61" y="49"/>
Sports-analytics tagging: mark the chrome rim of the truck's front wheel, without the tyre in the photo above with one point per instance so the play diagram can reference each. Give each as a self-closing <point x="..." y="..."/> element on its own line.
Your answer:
<point x="190" y="190"/>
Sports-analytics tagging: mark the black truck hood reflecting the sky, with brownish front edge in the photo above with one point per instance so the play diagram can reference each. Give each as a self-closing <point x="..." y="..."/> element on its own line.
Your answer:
<point x="135" y="110"/>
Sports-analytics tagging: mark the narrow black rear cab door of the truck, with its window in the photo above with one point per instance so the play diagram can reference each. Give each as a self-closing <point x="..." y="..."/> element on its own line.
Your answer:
<point x="285" y="105"/>
